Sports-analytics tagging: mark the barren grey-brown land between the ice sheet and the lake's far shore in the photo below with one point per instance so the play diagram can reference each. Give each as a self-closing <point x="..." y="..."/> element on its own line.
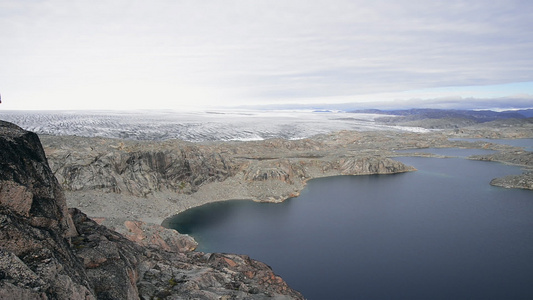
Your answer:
<point x="118" y="180"/>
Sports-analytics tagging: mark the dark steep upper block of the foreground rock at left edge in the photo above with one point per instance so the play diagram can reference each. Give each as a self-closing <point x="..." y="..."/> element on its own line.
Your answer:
<point x="25" y="175"/>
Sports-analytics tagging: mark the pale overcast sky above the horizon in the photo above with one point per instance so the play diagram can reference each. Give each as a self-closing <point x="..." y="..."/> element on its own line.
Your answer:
<point x="188" y="54"/>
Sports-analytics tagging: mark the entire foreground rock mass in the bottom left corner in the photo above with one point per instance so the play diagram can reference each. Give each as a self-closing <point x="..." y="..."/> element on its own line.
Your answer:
<point x="47" y="252"/>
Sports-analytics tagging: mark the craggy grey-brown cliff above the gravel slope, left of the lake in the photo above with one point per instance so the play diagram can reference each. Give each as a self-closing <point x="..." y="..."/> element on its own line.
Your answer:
<point x="101" y="164"/>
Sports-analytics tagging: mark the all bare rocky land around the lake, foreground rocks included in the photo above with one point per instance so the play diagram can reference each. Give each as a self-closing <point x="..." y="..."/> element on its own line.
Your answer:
<point x="132" y="186"/>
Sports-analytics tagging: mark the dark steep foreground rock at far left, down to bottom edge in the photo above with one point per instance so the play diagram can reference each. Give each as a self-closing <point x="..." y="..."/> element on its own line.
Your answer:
<point x="36" y="262"/>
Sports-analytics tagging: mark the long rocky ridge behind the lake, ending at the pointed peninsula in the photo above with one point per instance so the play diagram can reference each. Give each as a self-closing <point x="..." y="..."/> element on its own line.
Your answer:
<point x="145" y="168"/>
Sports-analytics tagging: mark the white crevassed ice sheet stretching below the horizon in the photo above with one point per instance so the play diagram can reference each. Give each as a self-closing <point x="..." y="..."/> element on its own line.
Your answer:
<point x="219" y="125"/>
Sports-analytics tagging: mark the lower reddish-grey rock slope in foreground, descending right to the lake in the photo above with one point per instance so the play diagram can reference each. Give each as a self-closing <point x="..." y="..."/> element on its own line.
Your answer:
<point x="152" y="273"/>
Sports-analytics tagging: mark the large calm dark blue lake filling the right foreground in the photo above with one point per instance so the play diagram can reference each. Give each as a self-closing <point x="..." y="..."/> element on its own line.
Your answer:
<point x="439" y="233"/>
